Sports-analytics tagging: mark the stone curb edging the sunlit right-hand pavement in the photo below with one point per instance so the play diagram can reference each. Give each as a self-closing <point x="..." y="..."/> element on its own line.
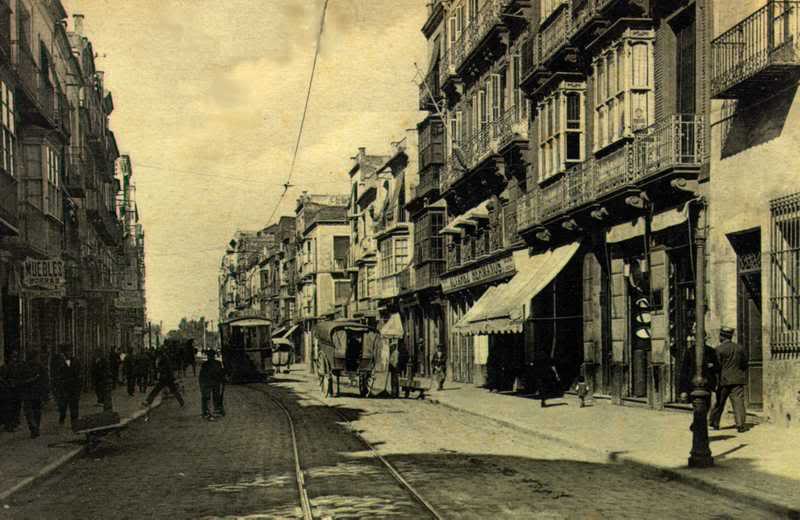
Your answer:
<point x="732" y="492"/>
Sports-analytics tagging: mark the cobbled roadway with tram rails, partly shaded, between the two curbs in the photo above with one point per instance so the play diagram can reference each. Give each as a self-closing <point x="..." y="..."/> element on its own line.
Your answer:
<point x="179" y="466"/>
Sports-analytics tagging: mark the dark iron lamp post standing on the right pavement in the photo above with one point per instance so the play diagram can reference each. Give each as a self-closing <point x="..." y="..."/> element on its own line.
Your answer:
<point x="700" y="456"/>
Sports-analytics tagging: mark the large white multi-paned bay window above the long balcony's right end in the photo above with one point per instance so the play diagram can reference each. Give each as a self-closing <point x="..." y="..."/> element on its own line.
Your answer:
<point x="623" y="90"/>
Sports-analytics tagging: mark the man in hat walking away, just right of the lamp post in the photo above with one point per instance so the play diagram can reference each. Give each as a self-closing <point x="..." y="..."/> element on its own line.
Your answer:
<point x="733" y="376"/>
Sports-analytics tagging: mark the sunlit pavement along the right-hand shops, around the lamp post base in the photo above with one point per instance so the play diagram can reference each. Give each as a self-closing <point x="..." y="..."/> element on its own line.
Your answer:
<point x="761" y="465"/>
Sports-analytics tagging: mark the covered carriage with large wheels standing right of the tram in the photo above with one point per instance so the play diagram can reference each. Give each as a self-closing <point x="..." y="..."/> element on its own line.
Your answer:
<point x="345" y="348"/>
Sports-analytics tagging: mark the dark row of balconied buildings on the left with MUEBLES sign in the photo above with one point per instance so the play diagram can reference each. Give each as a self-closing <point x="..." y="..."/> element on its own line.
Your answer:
<point x="62" y="251"/>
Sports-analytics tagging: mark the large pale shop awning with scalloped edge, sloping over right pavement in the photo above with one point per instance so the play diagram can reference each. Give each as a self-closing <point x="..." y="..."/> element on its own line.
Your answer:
<point x="501" y="309"/>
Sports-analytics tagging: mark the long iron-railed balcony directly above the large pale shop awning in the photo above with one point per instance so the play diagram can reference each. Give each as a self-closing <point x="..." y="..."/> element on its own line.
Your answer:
<point x="673" y="147"/>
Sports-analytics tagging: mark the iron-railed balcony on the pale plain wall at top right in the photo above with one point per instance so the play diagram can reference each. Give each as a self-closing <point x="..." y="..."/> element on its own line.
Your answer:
<point x="759" y="54"/>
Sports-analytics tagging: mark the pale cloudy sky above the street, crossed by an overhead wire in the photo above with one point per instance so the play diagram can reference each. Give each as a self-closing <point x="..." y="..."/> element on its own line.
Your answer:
<point x="208" y="98"/>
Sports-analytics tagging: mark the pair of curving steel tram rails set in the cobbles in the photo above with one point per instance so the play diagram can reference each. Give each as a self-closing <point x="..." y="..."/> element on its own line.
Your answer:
<point x="305" y="503"/>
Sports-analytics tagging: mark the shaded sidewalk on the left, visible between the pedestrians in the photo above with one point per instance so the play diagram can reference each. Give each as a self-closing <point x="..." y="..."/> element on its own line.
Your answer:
<point x="24" y="460"/>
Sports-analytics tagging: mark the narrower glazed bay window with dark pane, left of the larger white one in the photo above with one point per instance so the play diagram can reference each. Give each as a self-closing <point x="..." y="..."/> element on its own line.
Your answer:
<point x="561" y="129"/>
